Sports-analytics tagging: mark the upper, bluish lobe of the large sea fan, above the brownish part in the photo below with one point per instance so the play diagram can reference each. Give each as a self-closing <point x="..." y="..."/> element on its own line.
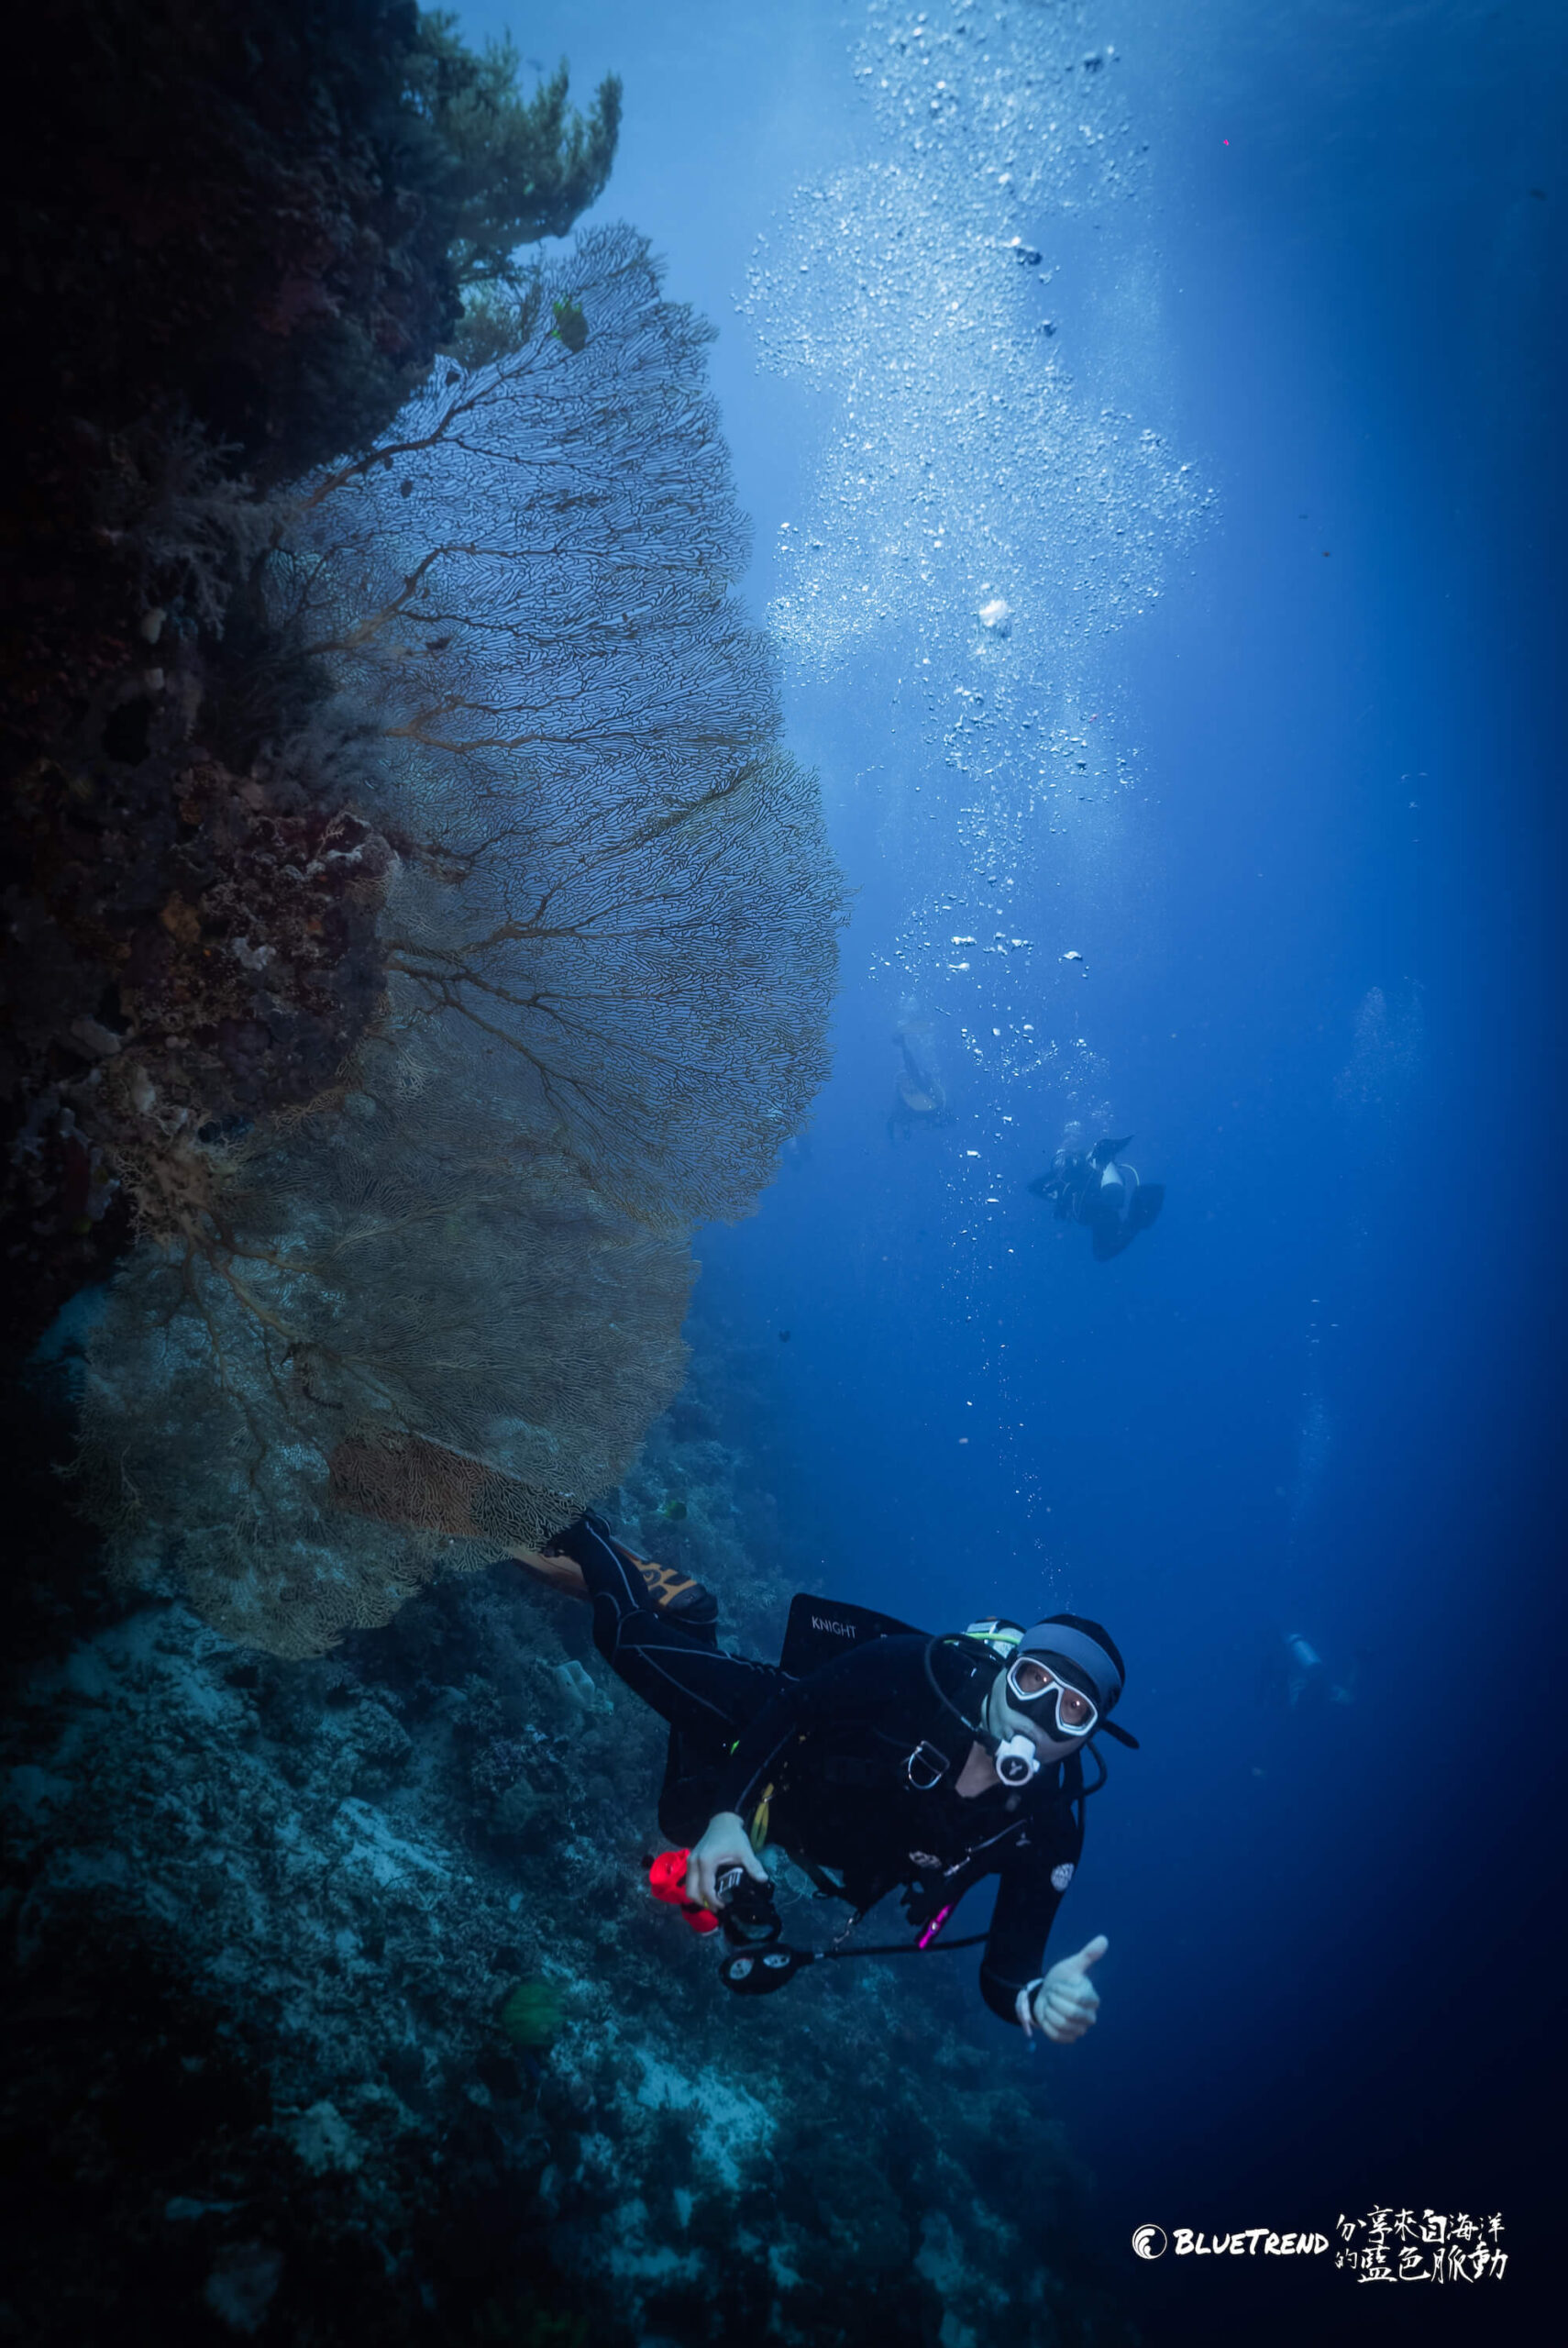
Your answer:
<point x="621" y="879"/>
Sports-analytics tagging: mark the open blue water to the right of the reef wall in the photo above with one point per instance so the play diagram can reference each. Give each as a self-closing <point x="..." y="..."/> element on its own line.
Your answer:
<point x="1316" y="886"/>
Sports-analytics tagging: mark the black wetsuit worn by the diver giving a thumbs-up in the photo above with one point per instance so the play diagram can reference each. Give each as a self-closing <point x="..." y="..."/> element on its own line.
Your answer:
<point x="863" y="1760"/>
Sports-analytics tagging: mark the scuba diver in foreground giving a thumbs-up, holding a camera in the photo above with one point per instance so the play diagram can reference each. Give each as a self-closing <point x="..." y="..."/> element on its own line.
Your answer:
<point x="898" y="1762"/>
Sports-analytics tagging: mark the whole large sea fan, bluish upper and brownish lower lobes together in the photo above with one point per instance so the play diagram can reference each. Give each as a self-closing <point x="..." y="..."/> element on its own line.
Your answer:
<point x="433" y="1314"/>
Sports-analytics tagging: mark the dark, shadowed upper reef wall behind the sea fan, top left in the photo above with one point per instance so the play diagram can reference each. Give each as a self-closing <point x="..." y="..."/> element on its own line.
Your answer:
<point x="236" y="234"/>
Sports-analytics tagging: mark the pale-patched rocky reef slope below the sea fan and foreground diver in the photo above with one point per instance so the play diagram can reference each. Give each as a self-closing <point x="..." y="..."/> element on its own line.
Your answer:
<point x="339" y="2006"/>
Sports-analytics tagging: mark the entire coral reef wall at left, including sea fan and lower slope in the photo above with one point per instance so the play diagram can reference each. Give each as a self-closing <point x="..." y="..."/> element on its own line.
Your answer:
<point x="417" y="924"/>
